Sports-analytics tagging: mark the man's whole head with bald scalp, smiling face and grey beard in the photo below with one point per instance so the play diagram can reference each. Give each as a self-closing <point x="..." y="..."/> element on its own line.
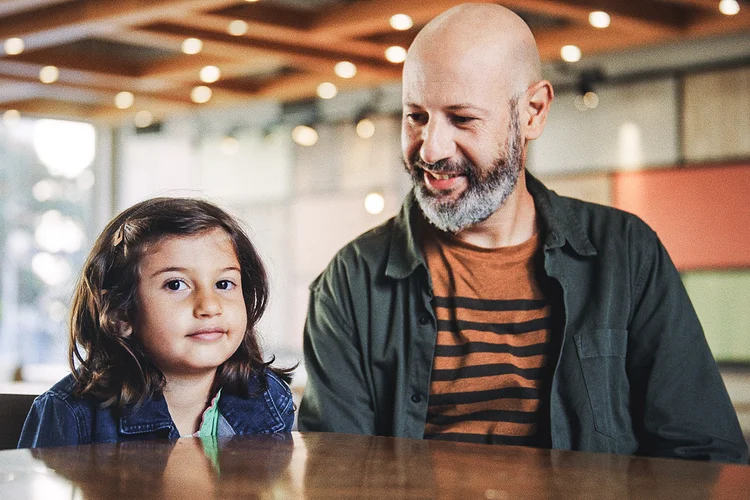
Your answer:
<point x="472" y="99"/>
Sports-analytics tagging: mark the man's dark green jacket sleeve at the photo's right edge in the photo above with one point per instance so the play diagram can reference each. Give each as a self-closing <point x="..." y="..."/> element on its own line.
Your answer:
<point x="679" y="401"/>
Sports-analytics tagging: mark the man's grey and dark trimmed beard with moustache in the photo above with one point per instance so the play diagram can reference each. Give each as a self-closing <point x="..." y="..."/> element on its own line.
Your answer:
<point x="483" y="196"/>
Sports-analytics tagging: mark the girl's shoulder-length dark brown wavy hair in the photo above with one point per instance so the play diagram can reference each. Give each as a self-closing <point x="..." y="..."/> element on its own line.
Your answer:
<point x="111" y="365"/>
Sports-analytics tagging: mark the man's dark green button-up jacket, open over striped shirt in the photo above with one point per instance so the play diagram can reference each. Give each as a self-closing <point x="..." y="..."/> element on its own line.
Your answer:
<point x="634" y="373"/>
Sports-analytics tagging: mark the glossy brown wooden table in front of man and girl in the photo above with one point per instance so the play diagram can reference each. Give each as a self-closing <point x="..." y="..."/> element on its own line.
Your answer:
<point x="318" y="465"/>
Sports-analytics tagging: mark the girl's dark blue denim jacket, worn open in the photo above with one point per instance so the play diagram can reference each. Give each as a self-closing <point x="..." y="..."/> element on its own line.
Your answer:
<point x="58" y="418"/>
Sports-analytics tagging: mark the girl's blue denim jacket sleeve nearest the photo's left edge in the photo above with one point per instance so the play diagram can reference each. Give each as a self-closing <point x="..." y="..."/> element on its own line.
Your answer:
<point x="50" y="422"/>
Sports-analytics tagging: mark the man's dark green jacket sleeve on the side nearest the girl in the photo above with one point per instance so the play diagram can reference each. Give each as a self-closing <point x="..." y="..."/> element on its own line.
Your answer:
<point x="337" y="397"/>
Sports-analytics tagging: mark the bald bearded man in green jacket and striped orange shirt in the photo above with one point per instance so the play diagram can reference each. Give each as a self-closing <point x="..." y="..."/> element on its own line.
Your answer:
<point x="490" y="309"/>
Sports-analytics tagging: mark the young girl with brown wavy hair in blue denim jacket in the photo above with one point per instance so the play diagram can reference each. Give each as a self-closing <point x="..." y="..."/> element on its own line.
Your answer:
<point x="162" y="335"/>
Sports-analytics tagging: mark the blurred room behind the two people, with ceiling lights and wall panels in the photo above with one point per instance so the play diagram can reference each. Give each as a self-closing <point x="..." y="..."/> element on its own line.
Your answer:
<point x="287" y="112"/>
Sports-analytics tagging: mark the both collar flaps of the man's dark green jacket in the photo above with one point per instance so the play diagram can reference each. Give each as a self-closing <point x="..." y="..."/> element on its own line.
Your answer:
<point x="558" y="220"/>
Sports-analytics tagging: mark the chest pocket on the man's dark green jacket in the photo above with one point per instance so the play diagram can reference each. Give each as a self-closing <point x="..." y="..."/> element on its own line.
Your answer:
<point x="602" y="356"/>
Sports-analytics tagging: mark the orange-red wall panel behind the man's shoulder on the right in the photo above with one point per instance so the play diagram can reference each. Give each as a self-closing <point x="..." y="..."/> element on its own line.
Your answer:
<point x="702" y="215"/>
